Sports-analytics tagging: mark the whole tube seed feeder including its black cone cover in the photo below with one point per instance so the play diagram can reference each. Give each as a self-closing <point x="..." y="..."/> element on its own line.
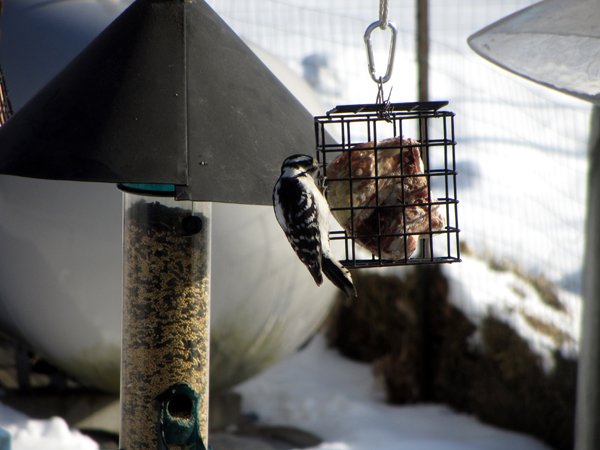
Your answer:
<point x="170" y="105"/>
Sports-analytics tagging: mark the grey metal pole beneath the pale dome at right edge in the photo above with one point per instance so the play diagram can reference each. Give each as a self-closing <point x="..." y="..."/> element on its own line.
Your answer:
<point x="587" y="426"/>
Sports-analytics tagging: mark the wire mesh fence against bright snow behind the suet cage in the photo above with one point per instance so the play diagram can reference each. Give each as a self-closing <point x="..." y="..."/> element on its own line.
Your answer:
<point x="521" y="158"/>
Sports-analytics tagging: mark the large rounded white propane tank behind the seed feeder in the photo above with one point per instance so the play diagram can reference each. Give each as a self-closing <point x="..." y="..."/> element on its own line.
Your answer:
<point x="61" y="274"/>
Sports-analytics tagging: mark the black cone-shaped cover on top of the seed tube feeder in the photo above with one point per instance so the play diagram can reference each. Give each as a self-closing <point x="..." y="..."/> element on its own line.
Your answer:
<point x="167" y="94"/>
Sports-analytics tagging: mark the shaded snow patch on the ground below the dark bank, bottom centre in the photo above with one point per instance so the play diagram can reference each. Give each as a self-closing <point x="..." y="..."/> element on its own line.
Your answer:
<point x="337" y="399"/>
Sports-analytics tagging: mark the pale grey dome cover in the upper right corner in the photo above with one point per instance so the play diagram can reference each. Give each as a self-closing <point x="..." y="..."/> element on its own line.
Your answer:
<point x="554" y="42"/>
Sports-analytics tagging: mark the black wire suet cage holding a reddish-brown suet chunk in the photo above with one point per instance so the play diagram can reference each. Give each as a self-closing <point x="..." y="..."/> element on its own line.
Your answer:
<point x="394" y="196"/>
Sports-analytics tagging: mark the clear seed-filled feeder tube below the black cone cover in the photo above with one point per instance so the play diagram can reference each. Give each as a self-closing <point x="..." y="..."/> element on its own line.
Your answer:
<point x="166" y="324"/>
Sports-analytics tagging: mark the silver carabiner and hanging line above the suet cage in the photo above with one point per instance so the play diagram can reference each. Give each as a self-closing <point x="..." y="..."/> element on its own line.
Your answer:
<point x="383" y="24"/>
